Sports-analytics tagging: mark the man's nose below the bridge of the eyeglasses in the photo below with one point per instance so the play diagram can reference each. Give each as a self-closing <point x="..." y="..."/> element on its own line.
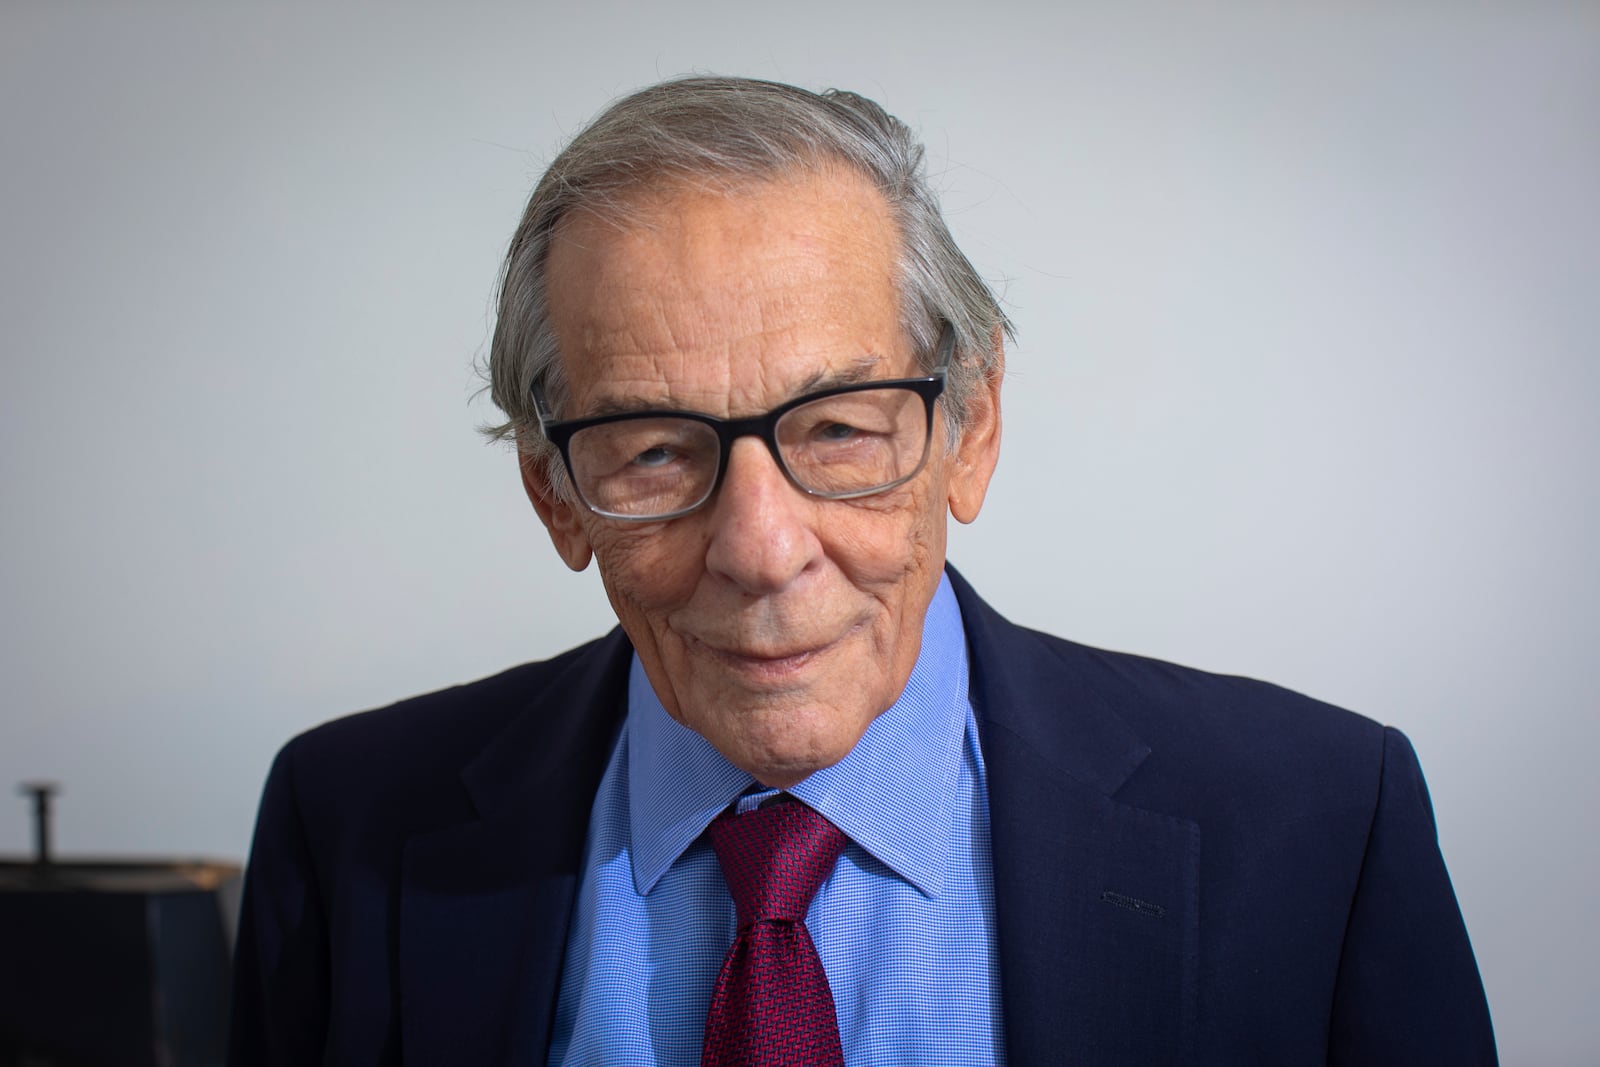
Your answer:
<point x="761" y="524"/>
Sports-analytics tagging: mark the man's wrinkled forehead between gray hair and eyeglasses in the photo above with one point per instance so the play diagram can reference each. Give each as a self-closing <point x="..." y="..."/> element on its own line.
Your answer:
<point x="727" y="300"/>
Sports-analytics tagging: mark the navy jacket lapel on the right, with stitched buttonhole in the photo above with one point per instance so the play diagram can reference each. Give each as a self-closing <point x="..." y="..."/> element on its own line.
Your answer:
<point x="1097" y="900"/>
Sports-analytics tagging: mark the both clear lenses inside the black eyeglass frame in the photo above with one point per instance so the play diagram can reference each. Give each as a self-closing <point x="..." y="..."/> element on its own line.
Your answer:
<point x="842" y="446"/>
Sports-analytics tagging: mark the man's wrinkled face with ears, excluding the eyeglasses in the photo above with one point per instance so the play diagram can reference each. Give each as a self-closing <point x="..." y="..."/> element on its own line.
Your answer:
<point x="772" y="623"/>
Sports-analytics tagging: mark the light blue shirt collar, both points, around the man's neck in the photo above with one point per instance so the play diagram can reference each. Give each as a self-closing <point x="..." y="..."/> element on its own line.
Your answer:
<point x="894" y="794"/>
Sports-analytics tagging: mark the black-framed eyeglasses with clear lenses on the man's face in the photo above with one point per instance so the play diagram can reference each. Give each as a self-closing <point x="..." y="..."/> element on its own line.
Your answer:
<point x="834" y="444"/>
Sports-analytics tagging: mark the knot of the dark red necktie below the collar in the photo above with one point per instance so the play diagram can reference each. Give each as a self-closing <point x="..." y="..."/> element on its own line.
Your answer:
<point x="775" y="860"/>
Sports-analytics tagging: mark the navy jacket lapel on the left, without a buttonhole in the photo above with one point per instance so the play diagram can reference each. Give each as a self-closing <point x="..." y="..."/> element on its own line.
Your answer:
<point x="486" y="905"/>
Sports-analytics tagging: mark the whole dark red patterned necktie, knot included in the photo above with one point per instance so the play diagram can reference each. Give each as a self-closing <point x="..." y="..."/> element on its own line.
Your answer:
<point x="772" y="1005"/>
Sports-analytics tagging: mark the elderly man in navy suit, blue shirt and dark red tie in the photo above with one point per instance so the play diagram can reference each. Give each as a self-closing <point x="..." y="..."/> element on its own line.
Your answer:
<point x="815" y="802"/>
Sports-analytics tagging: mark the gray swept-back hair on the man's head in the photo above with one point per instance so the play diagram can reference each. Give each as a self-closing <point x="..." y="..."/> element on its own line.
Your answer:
<point x="735" y="130"/>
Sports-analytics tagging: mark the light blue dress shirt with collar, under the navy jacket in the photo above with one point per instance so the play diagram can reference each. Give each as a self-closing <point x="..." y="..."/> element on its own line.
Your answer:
<point x="905" y="925"/>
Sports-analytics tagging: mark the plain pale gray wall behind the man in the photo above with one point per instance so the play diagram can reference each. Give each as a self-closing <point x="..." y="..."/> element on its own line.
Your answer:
<point x="1305" y="390"/>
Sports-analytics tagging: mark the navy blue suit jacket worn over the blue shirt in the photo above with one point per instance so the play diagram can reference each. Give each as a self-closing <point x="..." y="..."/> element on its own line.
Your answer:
<point x="1190" y="869"/>
